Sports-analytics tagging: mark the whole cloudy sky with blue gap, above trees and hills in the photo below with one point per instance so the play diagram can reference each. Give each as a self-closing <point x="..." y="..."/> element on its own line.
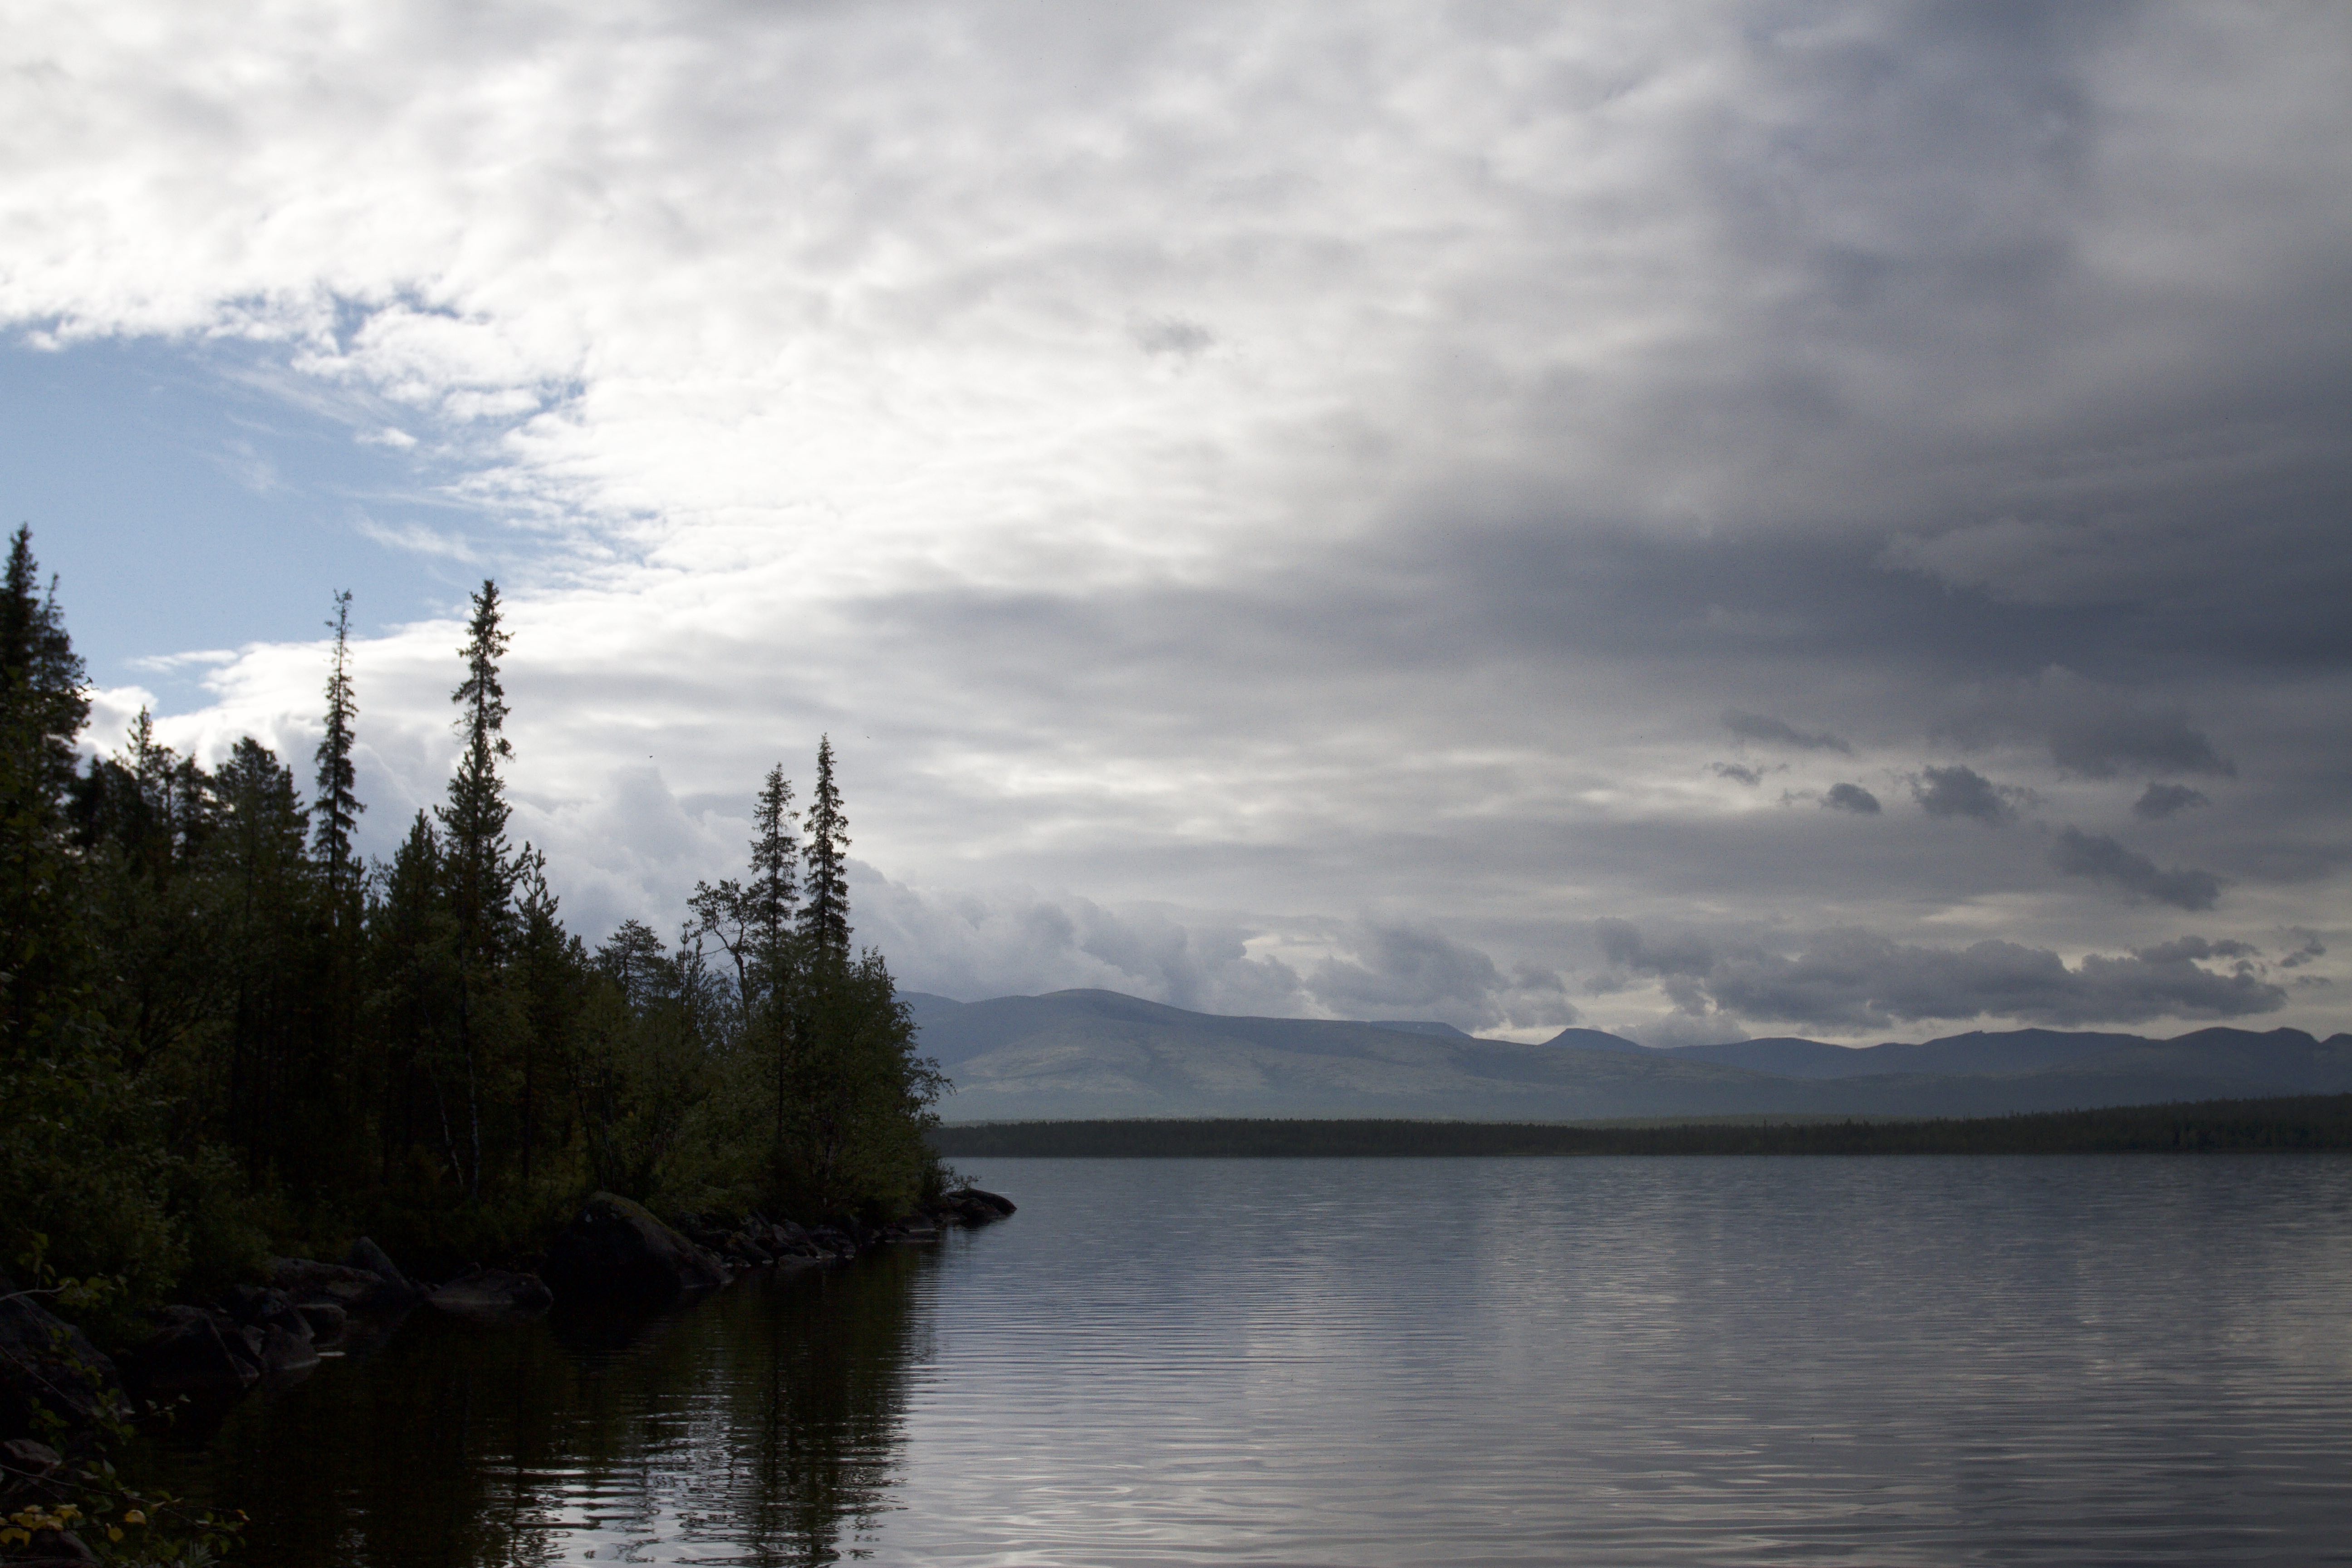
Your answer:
<point x="1697" y="521"/>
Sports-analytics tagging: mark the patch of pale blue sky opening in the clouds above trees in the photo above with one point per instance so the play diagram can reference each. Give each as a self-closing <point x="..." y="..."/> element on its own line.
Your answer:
<point x="199" y="495"/>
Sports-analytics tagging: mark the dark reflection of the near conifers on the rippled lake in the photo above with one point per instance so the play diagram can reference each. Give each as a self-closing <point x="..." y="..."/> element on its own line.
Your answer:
<point x="747" y="1428"/>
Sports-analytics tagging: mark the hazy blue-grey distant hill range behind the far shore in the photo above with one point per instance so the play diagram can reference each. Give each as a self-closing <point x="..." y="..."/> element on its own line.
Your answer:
<point x="1093" y="1054"/>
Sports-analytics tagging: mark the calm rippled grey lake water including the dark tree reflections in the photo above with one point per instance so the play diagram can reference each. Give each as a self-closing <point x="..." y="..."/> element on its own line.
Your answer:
<point x="2094" y="1360"/>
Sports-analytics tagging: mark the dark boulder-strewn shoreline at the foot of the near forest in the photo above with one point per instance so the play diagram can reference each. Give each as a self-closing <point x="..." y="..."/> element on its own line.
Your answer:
<point x="62" y="1400"/>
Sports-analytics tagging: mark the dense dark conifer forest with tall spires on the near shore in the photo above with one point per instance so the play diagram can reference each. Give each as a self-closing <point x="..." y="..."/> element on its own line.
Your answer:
<point x="227" y="1033"/>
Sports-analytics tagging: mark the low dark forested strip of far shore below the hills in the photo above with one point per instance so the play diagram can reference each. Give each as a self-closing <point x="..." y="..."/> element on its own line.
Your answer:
<point x="2285" y="1125"/>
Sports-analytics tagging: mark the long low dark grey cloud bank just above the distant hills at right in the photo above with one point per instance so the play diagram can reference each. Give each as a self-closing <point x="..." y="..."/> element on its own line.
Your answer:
<point x="1852" y="981"/>
